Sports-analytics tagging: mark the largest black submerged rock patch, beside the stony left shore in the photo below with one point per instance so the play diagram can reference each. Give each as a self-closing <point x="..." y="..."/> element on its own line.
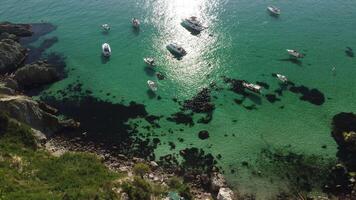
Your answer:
<point x="105" y="122"/>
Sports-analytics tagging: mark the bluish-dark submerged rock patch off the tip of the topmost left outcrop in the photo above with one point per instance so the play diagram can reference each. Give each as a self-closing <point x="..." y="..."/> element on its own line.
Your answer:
<point x="38" y="30"/>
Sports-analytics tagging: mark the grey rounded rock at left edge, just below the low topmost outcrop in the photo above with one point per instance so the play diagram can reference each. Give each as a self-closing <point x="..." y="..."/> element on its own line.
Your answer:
<point x="12" y="54"/>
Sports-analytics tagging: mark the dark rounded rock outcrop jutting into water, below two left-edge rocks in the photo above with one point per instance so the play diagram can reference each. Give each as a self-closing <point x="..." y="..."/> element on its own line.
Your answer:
<point x="36" y="74"/>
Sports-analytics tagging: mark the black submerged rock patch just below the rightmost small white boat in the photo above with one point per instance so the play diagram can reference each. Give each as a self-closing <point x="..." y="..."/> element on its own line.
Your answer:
<point x="313" y="96"/>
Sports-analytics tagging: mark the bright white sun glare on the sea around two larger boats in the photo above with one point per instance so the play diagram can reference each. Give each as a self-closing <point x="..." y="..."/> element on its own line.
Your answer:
<point x="192" y="70"/>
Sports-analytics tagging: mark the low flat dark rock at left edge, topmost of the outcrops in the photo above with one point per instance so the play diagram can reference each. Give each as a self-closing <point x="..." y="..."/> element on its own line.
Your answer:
<point x="20" y="30"/>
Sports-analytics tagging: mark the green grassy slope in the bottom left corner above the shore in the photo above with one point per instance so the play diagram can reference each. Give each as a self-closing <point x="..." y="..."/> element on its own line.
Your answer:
<point x="30" y="173"/>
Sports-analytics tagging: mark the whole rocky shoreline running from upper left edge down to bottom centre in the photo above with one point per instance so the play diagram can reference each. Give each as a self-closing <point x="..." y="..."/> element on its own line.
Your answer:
<point x="24" y="69"/>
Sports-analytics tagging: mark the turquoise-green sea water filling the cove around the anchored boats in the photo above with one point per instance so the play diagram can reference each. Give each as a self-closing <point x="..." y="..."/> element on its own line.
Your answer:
<point x="243" y="41"/>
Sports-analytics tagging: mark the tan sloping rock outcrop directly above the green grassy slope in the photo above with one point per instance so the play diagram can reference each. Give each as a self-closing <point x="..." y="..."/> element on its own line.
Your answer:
<point x="28" y="111"/>
